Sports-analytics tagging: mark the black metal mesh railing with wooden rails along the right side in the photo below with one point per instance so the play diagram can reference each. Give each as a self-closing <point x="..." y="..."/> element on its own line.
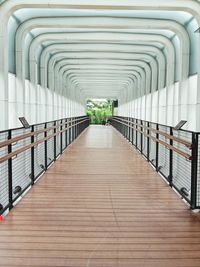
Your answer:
<point x="173" y="153"/>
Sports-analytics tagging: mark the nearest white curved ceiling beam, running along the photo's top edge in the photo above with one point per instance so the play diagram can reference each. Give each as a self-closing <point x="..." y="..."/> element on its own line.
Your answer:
<point x="10" y="6"/>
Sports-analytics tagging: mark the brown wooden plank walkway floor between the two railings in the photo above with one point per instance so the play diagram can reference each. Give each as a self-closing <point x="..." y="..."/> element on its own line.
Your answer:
<point x="101" y="204"/>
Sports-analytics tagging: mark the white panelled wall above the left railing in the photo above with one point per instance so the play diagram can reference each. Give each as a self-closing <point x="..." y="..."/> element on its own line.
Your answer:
<point x="35" y="103"/>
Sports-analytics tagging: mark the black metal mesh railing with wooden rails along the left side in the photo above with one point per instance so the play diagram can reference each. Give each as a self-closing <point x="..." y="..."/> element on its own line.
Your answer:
<point x="26" y="153"/>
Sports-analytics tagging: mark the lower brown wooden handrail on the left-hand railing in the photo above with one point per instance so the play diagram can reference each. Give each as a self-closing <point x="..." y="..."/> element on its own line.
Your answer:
<point x="22" y="149"/>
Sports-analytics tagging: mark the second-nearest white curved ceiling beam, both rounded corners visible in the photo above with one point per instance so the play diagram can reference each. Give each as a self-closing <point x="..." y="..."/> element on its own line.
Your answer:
<point x="116" y="23"/>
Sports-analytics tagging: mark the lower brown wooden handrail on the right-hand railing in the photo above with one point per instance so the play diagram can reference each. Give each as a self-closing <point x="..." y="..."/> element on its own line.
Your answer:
<point x="170" y="147"/>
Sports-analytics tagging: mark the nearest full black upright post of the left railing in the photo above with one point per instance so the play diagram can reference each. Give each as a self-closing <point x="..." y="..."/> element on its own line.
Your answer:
<point x="10" y="194"/>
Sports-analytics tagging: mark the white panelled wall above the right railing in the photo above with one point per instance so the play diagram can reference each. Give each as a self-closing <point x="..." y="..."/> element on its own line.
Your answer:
<point x="169" y="105"/>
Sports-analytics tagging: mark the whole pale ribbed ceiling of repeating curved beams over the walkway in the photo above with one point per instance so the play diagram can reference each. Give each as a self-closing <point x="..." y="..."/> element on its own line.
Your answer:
<point x="116" y="49"/>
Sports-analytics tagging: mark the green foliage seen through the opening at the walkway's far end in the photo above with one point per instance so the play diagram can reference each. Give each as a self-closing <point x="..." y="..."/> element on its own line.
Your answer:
<point x="99" y="110"/>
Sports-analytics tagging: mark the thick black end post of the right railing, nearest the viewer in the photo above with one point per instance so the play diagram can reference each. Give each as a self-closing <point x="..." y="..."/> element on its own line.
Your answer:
<point x="194" y="169"/>
